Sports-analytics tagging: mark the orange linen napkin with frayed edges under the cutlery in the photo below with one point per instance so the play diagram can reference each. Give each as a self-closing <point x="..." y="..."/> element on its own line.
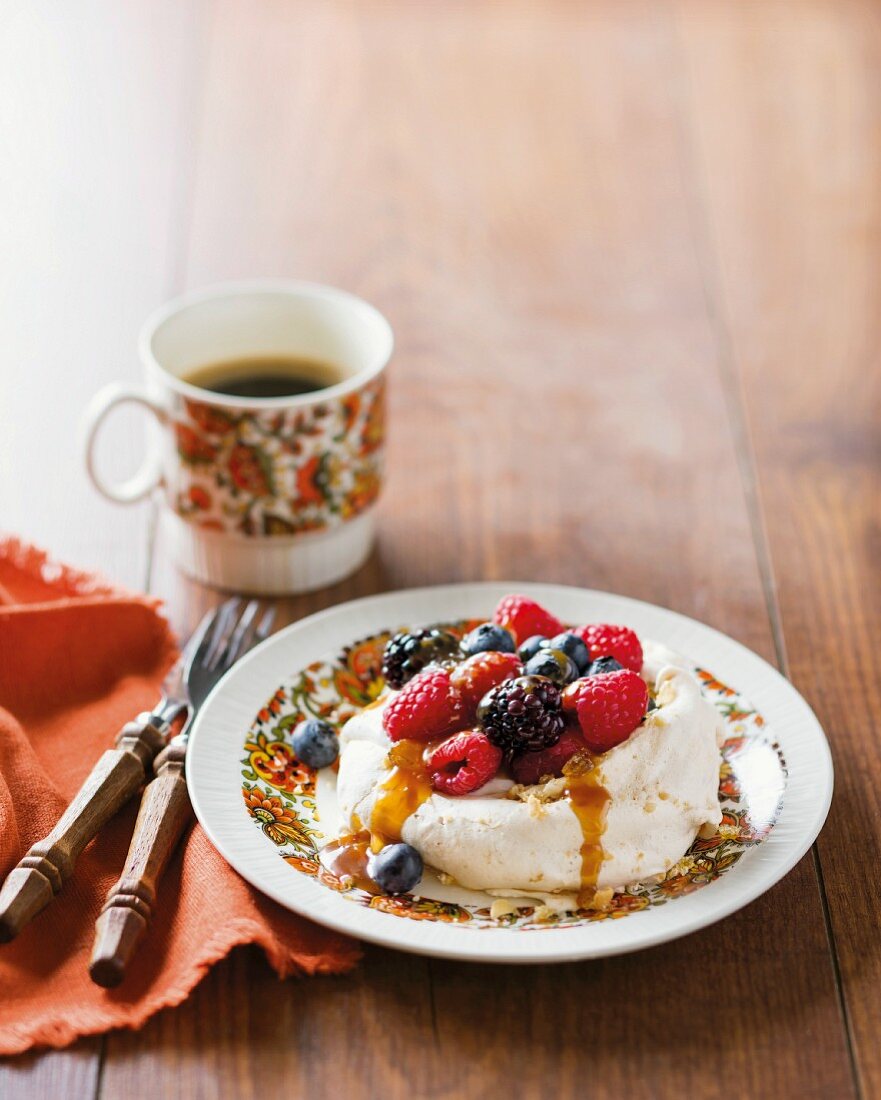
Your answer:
<point x="80" y="658"/>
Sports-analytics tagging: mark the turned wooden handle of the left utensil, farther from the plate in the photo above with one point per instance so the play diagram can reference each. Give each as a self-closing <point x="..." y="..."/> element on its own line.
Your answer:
<point x="48" y="865"/>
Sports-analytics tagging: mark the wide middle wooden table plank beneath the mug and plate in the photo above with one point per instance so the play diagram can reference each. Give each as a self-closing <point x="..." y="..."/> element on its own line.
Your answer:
<point x="515" y="188"/>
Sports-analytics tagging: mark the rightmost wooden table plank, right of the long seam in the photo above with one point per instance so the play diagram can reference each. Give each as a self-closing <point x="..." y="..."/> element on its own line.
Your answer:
<point x="794" y="259"/>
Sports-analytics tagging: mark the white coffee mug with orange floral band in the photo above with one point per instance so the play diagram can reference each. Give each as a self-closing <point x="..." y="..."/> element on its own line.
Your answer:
<point x="268" y="496"/>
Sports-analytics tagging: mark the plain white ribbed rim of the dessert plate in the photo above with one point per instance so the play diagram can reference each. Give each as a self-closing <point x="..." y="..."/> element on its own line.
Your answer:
<point x="214" y="764"/>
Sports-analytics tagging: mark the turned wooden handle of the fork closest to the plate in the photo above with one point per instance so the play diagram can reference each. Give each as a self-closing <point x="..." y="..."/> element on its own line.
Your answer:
<point x="166" y="812"/>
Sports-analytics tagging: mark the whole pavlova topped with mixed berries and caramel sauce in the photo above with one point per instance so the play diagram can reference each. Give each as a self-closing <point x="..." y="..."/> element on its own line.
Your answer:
<point x="526" y="760"/>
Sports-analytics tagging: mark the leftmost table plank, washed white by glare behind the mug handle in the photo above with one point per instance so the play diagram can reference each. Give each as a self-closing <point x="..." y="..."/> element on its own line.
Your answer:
<point x="95" y="115"/>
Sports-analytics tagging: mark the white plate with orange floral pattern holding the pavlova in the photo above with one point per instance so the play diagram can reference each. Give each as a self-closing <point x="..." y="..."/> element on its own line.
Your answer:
<point x="269" y="816"/>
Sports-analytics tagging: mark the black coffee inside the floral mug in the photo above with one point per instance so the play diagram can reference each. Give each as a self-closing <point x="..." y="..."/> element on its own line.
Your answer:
<point x="265" y="377"/>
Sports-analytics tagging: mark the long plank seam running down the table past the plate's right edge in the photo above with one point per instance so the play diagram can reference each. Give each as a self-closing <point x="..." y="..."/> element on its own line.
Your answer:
<point x="733" y="391"/>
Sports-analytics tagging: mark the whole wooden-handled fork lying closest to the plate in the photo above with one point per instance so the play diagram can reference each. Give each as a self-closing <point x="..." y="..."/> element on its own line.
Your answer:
<point x="225" y="636"/>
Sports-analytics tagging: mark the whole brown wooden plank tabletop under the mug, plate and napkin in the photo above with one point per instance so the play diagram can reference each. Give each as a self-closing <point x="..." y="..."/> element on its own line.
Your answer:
<point x="631" y="255"/>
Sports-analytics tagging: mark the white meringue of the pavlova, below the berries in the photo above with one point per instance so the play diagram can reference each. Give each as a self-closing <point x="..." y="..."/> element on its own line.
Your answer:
<point x="663" y="785"/>
